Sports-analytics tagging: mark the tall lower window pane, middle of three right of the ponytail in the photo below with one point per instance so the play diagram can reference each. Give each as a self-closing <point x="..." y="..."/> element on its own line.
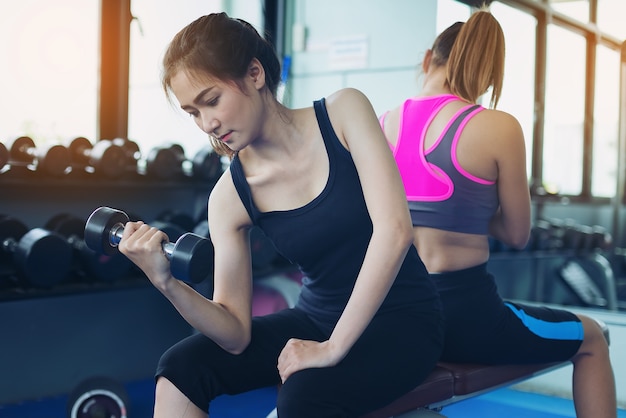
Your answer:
<point x="564" y="111"/>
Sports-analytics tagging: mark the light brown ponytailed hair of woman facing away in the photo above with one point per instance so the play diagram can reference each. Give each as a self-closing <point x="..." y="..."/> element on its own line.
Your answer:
<point x="473" y="53"/>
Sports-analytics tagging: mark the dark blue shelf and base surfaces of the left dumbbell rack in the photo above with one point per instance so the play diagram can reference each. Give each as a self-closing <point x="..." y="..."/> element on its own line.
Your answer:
<point x="55" y="338"/>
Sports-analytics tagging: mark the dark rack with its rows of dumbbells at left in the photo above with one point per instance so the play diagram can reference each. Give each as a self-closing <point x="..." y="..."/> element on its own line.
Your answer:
<point x="72" y="314"/>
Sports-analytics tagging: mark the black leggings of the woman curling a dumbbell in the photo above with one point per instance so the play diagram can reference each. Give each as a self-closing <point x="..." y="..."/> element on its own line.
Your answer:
<point x="395" y="353"/>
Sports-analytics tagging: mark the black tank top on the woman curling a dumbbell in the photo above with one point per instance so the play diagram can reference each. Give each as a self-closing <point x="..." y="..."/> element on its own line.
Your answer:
<point x="328" y="237"/>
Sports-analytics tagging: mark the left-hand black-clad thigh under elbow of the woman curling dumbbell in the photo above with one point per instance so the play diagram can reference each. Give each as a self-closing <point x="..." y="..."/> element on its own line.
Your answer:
<point x="202" y="370"/>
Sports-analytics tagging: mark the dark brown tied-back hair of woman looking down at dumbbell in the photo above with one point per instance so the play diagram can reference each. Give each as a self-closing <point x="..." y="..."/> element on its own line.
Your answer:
<point x="221" y="47"/>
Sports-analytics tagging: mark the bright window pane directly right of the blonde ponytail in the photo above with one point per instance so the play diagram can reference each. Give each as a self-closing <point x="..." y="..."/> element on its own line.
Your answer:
<point x="519" y="73"/>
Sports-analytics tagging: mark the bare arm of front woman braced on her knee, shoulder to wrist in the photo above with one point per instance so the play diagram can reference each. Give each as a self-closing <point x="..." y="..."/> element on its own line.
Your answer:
<point x="355" y="121"/>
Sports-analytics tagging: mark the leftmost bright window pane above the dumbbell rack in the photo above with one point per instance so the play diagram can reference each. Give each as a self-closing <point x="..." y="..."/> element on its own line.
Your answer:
<point x="49" y="71"/>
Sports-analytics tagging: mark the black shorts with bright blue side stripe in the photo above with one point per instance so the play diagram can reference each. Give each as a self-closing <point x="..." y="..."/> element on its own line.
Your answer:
<point x="482" y="328"/>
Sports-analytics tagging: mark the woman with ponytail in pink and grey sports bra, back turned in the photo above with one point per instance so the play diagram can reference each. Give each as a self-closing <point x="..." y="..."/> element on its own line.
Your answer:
<point x="464" y="172"/>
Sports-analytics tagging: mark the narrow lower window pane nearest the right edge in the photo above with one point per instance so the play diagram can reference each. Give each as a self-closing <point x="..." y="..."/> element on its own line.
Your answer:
<point x="606" y="123"/>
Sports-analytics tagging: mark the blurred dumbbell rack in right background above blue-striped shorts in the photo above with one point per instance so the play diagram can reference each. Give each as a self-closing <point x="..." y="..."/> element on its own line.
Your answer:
<point x="564" y="262"/>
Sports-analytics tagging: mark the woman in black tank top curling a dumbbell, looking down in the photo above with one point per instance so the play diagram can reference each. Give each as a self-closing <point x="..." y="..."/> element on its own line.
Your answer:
<point x="322" y="184"/>
